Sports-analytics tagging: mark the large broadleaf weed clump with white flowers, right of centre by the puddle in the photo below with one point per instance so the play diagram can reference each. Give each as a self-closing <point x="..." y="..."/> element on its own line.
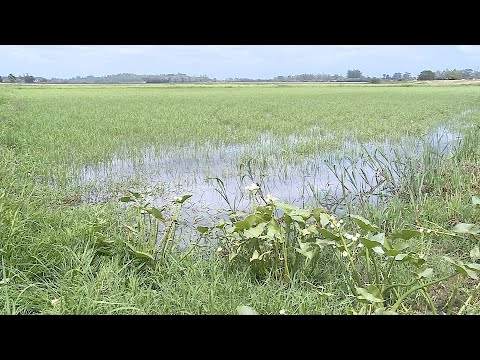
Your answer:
<point x="283" y="240"/>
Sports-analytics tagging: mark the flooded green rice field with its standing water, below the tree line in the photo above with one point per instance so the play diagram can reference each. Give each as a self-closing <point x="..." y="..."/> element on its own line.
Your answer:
<point x="402" y="156"/>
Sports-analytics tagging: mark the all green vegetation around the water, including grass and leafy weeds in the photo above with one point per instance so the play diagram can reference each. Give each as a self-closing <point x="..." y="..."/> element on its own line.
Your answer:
<point x="60" y="255"/>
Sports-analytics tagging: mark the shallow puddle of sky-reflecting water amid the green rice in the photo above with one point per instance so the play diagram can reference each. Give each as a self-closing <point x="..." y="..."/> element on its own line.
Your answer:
<point x="304" y="180"/>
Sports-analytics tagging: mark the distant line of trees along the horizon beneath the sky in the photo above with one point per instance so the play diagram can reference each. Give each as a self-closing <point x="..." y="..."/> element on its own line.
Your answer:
<point x="353" y="75"/>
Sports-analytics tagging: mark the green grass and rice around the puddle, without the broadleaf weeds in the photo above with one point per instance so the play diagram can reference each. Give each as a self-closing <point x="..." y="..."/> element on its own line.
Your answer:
<point x="47" y="251"/>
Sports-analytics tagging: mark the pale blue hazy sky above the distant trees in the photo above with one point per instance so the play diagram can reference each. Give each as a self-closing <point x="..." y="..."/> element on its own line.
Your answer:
<point x="224" y="61"/>
